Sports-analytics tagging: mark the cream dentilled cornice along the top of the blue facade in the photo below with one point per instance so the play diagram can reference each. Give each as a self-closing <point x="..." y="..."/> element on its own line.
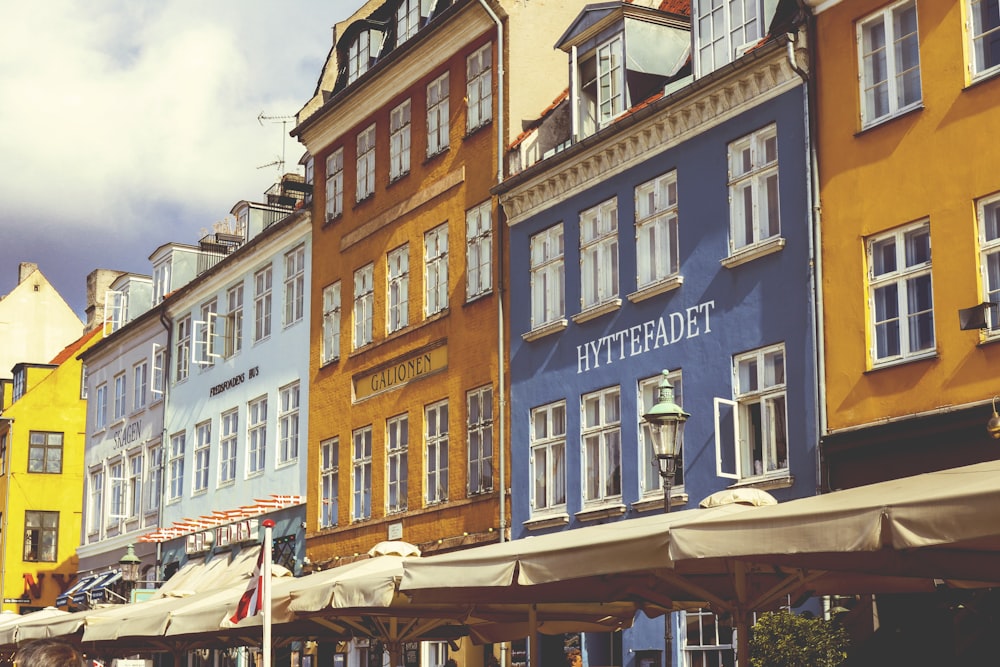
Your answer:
<point x="667" y="123"/>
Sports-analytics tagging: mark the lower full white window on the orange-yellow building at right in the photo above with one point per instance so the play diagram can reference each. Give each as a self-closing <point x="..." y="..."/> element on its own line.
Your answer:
<point x="900" y="294"/>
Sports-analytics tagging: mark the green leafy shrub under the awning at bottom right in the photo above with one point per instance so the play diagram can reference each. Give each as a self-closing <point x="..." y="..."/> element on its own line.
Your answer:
<point x="782" y="639"/>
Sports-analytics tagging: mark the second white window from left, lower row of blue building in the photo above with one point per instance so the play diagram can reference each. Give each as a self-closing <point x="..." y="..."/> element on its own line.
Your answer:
<point x="600" y="435"/>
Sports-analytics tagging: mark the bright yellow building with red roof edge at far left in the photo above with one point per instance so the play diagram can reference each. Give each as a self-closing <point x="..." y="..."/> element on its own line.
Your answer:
<point x="41" y="478"/>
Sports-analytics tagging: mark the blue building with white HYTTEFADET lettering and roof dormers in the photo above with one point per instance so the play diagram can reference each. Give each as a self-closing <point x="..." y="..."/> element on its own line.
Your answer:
<point x="671" y="230"/>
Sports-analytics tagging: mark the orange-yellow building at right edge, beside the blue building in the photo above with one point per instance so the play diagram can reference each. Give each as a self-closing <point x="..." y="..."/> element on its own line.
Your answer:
<point x="910" y="207"/>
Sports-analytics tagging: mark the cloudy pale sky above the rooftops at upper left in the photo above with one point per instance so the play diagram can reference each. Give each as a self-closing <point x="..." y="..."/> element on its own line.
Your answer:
<point x="126" y="124"/>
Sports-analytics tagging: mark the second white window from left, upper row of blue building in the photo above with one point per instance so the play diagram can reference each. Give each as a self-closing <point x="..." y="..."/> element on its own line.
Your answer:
<point x="599" y="254"/>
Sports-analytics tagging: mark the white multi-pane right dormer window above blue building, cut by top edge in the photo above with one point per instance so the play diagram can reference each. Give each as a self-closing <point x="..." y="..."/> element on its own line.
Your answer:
<point x="724" y="30"/>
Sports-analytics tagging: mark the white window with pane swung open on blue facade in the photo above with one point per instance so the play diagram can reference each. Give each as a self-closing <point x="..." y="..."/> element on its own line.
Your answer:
<point x="751" y="438"/>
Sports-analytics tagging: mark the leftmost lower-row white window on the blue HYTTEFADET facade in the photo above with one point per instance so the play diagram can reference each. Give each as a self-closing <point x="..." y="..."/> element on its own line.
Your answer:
<point x="548" y="457"/>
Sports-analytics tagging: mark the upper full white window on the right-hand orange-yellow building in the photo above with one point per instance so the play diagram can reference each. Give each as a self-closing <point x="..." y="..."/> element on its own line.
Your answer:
<point x="889" y="53"/>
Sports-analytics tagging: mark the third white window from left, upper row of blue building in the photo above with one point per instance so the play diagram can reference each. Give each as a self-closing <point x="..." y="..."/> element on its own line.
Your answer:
<point x="657" y="254"/>
